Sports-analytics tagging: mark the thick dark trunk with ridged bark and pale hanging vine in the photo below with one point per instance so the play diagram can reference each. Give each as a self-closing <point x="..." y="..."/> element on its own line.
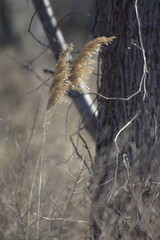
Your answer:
<point x="126" y="175"/>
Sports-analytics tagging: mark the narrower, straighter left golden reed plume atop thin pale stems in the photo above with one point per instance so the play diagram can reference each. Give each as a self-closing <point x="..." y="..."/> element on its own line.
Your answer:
<point x="60" y="83"/>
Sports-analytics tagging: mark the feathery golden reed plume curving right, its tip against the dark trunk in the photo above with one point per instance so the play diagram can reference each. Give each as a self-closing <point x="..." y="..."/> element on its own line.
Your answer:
<point x="81" y="67"/>
